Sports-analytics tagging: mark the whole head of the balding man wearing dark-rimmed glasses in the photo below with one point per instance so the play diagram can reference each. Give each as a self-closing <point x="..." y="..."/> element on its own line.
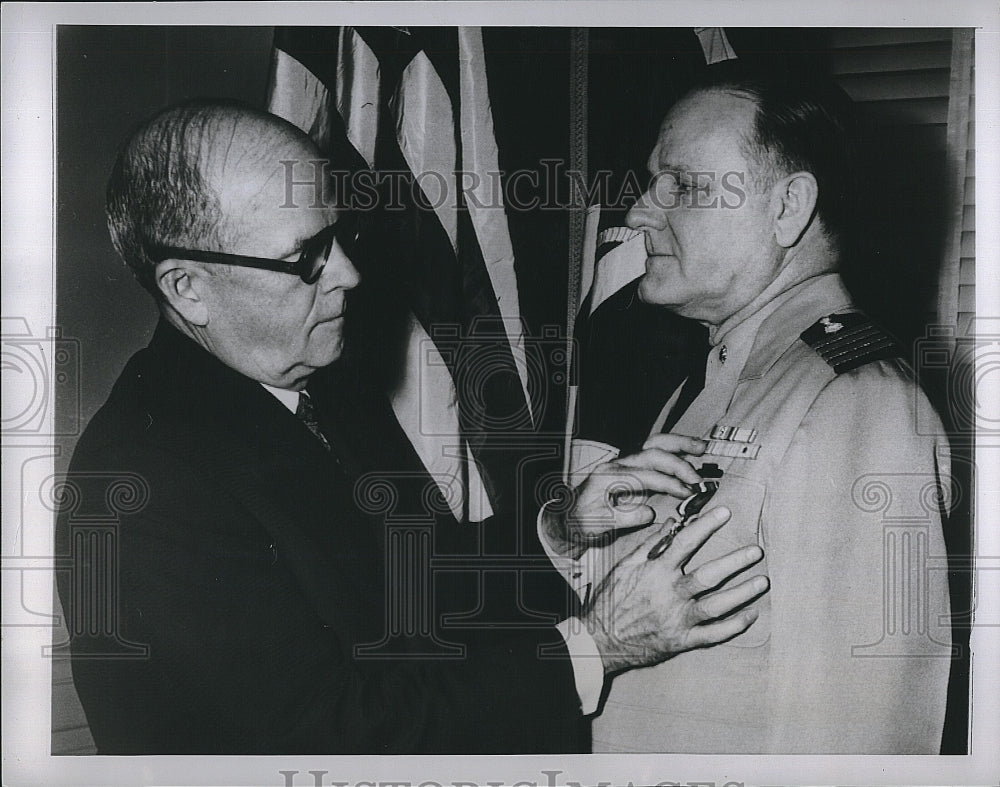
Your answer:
<point x="198" y="208"/>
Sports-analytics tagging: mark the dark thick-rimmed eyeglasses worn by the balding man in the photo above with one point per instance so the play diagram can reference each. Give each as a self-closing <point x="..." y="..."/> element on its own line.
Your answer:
<point x="346" y="230"/>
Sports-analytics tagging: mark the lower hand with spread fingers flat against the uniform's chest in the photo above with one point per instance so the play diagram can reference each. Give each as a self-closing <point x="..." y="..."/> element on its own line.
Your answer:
<point x="646" y="611"/>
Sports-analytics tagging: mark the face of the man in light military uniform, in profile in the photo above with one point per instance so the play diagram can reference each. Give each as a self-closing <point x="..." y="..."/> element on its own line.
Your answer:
<point x="709" y="240"/>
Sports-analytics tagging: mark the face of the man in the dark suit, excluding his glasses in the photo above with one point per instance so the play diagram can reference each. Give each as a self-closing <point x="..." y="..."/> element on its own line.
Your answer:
<point x="273" y="326"/>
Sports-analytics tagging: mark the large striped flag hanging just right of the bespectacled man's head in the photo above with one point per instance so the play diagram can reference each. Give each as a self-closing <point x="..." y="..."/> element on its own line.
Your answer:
<point x="413" y="104"/>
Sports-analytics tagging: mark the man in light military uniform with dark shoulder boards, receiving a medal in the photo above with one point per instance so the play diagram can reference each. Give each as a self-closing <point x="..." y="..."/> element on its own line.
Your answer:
<point x="805" y="429"/>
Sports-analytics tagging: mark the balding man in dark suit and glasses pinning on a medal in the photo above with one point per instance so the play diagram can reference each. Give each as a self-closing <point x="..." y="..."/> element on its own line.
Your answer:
<point x="246" y="574"/>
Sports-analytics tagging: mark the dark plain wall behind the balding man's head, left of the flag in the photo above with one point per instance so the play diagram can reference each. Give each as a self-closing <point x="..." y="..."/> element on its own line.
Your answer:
<point x="107" y="80"/>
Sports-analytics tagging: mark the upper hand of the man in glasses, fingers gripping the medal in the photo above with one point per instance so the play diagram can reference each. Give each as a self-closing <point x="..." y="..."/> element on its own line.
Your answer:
<point x="614" y="496"/>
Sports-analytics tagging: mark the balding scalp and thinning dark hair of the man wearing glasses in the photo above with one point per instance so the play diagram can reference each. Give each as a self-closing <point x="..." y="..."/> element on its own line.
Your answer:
<point x="180" y="178"/>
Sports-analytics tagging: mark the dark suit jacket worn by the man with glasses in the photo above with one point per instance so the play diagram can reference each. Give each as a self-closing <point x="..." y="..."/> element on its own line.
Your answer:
<point x="245" y="566"/>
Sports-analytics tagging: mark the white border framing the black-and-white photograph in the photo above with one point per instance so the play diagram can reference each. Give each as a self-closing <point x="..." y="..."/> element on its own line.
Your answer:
<point x="28" y="250"/>
